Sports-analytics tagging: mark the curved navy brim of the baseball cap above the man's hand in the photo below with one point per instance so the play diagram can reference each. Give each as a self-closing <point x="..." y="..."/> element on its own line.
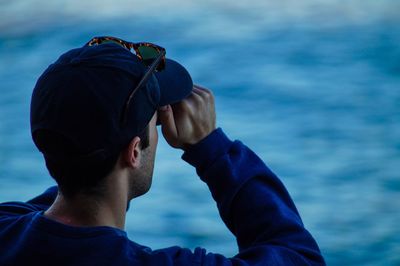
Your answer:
<point x="175" y="83"/>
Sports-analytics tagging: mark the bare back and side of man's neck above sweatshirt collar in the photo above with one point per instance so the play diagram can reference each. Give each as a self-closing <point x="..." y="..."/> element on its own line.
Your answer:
<point x="88" y="211"/>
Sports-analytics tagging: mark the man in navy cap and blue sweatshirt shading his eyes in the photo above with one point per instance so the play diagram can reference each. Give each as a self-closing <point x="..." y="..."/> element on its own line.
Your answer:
<point x="93" y="116"/>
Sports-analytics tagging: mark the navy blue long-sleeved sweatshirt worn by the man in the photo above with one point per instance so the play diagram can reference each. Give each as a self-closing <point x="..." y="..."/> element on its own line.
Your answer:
<point x="251" y="200"/>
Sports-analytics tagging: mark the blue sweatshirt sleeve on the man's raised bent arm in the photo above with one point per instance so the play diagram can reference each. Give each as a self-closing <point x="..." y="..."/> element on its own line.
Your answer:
<point x="254" y="205"/>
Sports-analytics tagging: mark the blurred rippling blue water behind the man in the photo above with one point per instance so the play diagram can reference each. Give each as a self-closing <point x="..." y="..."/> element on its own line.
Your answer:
<point x="313" y="87"/>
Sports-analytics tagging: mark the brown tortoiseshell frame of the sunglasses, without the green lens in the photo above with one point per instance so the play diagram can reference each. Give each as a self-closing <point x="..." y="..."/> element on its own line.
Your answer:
<point x="157" y="65"/>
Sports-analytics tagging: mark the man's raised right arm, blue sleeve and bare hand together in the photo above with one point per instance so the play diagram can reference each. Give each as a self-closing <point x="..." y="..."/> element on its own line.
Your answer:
<point x="251" y="200"/>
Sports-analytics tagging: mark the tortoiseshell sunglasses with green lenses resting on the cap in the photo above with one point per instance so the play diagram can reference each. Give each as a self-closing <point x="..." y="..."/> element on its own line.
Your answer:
<point x="152" y="56"/>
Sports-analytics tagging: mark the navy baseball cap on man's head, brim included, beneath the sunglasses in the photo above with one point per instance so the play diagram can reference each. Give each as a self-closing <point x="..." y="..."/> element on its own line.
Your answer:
<point x="79" y="100"/>
